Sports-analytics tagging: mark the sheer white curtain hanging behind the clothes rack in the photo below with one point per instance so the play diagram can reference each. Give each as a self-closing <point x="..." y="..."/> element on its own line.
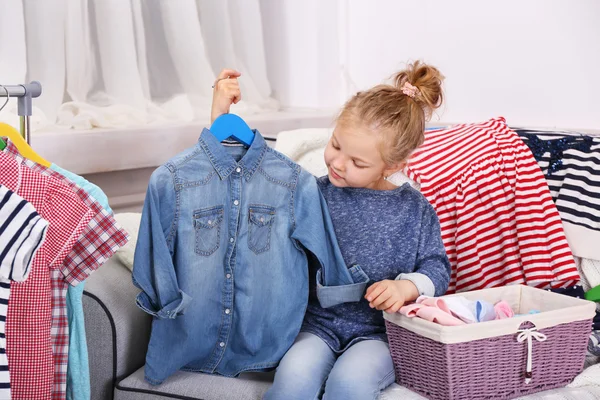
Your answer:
<point x="121" y="63"/>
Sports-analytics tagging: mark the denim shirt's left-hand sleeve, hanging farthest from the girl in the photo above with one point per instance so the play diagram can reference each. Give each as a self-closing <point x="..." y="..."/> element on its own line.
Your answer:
<point x="153" y="269"/>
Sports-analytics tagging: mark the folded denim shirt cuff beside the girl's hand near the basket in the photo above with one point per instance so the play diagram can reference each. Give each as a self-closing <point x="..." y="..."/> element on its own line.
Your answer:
<point x="330" y="296"/>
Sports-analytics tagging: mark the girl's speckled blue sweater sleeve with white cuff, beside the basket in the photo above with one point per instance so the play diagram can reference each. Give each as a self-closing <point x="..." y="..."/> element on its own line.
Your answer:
<point x="432" y="261"/>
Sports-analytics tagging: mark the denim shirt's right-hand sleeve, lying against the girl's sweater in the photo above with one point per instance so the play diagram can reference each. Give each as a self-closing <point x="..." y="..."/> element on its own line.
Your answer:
<point x="336" y="283"/>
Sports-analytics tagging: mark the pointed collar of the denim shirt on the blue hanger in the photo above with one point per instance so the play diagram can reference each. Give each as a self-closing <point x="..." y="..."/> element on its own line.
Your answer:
<point x="224" y="163"/>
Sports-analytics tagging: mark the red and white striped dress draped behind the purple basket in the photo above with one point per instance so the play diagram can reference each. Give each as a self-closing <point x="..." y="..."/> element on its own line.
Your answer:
<point x="498" y="222"/>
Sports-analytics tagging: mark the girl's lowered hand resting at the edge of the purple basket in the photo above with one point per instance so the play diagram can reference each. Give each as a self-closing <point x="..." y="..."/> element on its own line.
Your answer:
<point x="390" y="295"/>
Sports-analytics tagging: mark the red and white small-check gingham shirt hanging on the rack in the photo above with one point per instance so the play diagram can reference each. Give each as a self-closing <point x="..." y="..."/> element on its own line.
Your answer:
<point x="29" y="319"/>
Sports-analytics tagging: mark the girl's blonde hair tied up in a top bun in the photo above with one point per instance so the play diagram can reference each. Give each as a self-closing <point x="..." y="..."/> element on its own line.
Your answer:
<point x="398" y="111"/>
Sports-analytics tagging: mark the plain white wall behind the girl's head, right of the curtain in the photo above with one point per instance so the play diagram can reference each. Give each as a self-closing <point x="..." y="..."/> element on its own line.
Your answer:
<point x="535" y="62"/>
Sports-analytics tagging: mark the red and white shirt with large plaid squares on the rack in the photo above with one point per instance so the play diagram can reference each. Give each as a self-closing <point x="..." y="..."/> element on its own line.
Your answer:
<point x="102" y="238"/>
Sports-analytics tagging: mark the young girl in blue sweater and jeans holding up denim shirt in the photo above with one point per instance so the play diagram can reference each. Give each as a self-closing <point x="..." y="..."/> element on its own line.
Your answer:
<point x="392" y="232"/>
